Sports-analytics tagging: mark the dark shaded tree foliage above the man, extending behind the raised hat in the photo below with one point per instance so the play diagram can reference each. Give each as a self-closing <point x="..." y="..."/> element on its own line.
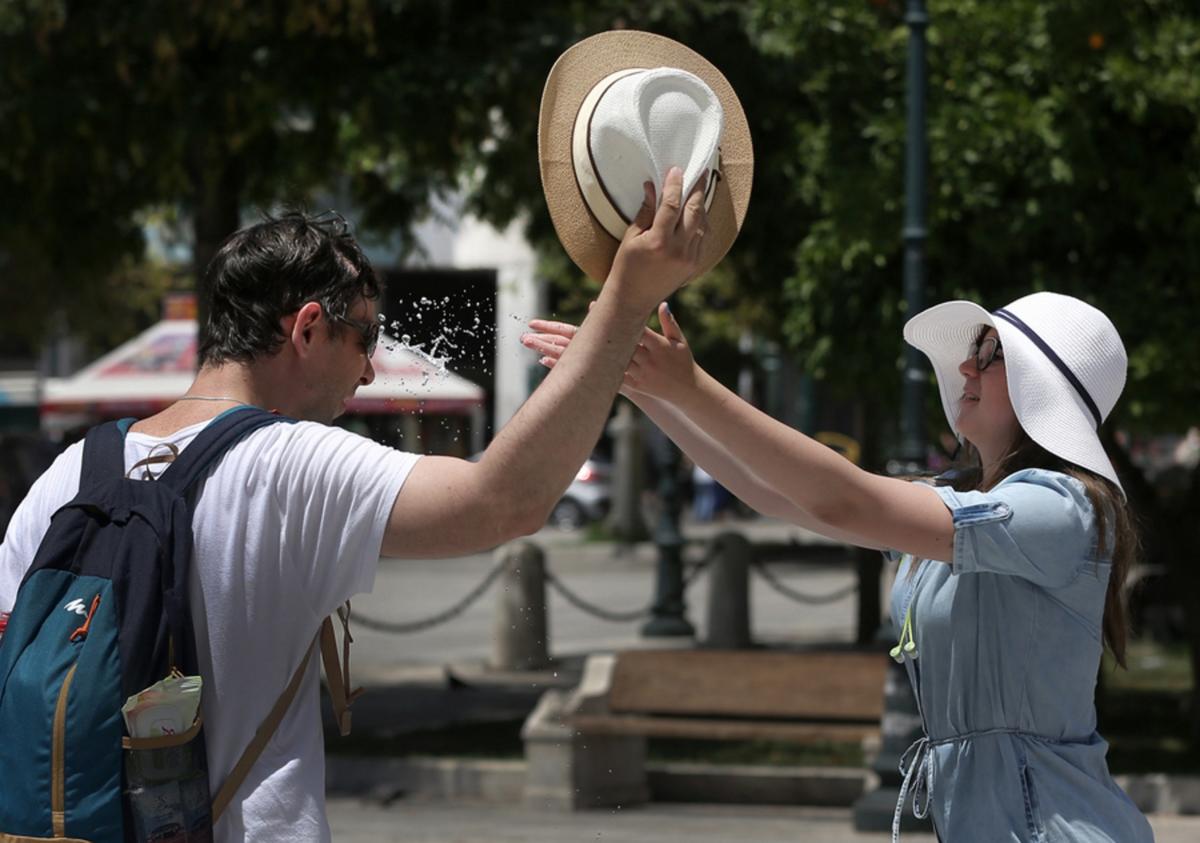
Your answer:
<point x="221" y="106"/>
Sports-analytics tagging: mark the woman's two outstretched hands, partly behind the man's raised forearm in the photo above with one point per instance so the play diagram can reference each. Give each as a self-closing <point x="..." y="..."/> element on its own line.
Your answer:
<point x="663" y="366"/>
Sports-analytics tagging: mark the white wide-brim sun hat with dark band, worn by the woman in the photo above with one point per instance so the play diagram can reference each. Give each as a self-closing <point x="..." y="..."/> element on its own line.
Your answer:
<point x="1064" y="362"/>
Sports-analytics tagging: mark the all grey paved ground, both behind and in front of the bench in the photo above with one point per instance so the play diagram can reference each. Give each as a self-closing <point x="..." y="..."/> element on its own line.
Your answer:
<point x="442" y="675"/>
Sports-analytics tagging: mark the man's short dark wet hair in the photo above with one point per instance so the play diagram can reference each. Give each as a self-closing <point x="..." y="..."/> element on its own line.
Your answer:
<point x="272" y="270"/>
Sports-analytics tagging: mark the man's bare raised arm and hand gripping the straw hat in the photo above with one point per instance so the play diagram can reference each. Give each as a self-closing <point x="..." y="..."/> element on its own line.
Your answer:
<point x="449" y="506"/>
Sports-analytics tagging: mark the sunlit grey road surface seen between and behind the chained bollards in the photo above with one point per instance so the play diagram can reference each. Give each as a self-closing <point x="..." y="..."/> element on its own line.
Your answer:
<point x="416" y="589"/>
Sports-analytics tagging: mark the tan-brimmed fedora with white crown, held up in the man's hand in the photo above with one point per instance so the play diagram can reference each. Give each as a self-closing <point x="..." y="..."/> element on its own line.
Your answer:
<point x="621" y="109"/>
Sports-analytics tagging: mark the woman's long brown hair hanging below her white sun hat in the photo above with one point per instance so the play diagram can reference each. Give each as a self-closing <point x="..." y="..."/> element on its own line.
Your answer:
<point x="1114" y="521"/>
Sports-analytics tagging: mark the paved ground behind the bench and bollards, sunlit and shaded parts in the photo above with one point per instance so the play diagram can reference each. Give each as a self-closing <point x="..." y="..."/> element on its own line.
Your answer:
<point x="442" y="675"/>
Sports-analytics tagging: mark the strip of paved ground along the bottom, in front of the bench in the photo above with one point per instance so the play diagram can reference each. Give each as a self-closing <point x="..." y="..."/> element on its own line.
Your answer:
<point x="355" y="822"/>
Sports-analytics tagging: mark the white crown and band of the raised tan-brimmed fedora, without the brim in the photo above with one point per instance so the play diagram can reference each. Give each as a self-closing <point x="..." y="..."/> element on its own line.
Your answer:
<point x="632" y="128"/>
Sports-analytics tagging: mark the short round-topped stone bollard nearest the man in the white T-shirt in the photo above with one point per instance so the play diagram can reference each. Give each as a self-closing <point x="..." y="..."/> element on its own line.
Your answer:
<point x="519" y="633"/>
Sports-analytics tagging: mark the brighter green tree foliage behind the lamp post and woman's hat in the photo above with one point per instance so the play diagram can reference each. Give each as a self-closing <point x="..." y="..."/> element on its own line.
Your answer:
<point x="1063" y="145"/>
